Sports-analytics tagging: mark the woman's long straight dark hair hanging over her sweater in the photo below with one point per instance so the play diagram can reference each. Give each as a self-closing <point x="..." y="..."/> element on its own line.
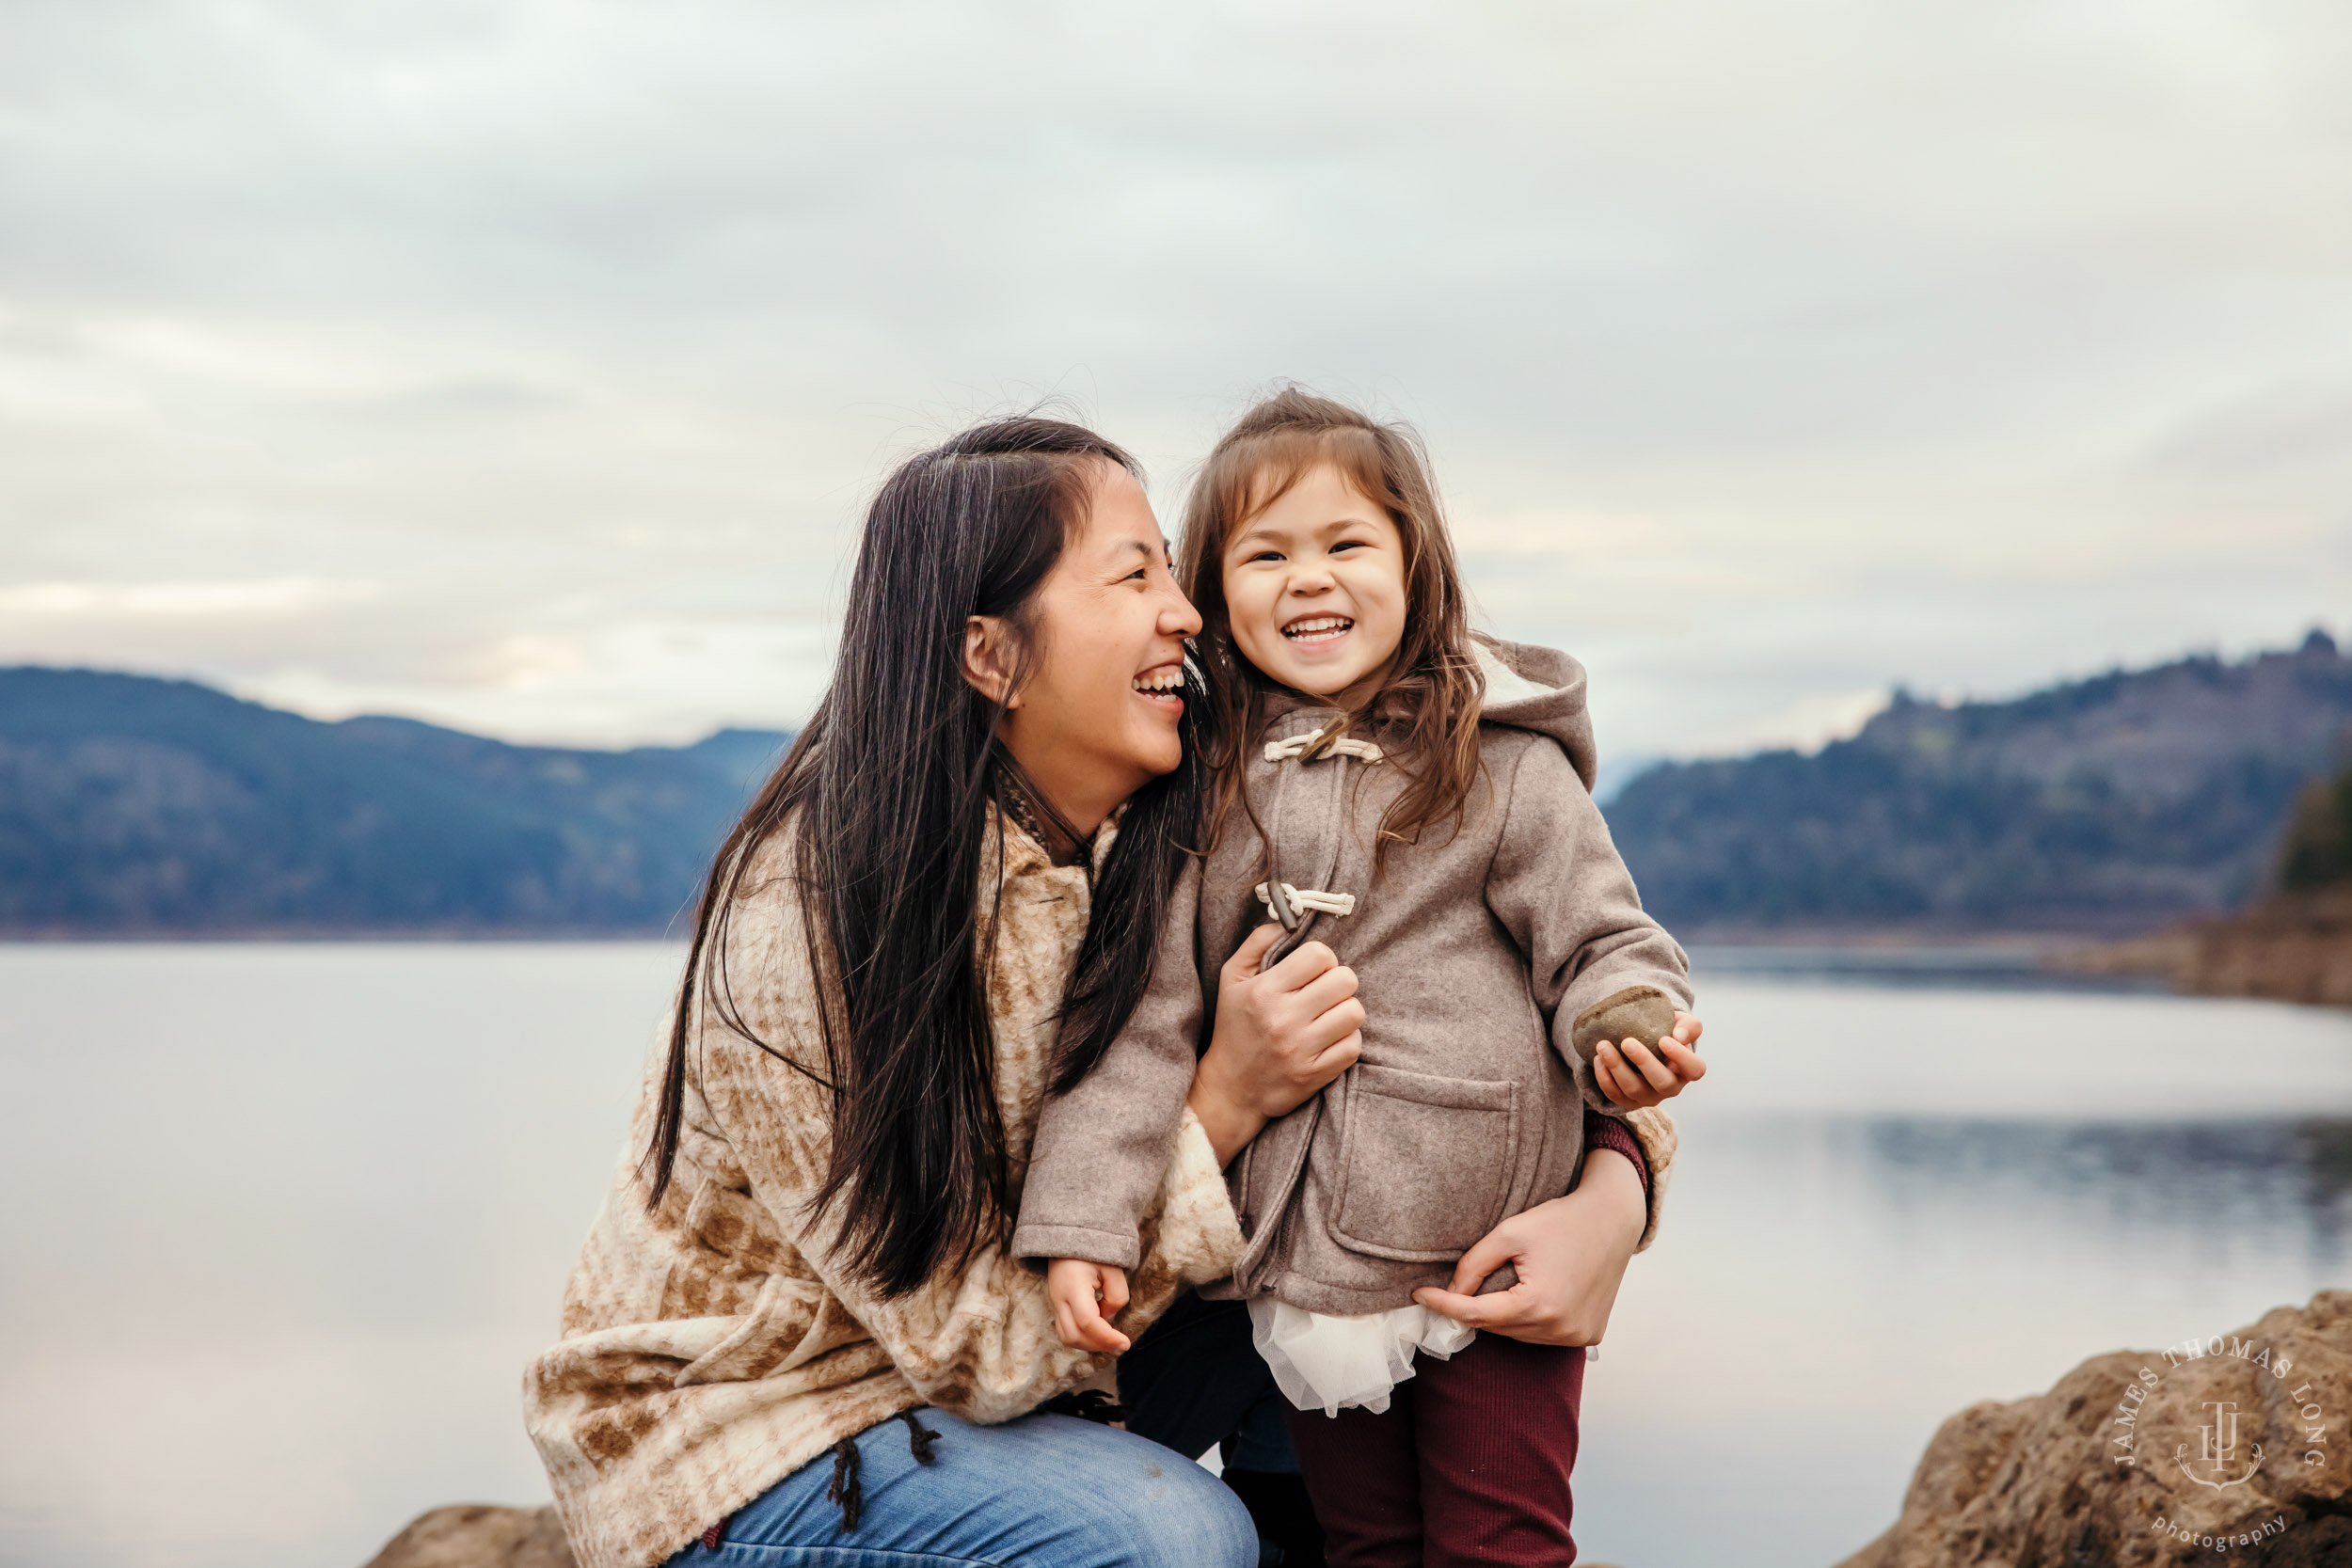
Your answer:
<point x="888" y="796"/>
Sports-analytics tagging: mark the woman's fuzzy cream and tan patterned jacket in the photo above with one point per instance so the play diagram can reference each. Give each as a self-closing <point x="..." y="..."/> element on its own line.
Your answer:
<point x="711" y="1348"/>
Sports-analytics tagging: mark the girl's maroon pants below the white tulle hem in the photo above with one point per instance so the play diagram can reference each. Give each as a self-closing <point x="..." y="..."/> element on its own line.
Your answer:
<point x="1469" y="1463"/>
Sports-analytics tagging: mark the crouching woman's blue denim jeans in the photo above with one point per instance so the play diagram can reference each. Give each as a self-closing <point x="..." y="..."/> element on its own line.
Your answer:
<point x="1045" y="1492"/>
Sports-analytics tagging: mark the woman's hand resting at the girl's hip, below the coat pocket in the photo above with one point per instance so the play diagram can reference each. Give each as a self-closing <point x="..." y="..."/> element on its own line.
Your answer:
<point x="1570" y="1257"/>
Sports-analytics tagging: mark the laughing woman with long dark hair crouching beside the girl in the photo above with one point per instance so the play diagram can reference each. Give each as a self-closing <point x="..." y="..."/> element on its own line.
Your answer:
<point x="794" y="1322"/>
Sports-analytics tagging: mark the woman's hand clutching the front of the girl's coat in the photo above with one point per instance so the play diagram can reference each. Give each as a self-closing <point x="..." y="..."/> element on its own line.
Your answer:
<point x="1278" y="1038"/>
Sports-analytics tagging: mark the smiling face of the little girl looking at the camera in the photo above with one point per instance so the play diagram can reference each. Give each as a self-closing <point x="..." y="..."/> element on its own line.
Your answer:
<point x="1316" y="589"/>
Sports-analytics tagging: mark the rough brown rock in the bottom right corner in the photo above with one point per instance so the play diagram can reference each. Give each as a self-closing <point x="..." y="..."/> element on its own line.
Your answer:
<point x="2146" y="1459"/>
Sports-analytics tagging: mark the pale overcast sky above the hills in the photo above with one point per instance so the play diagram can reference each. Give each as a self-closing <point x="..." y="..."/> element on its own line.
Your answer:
<point x="526" y="366"/>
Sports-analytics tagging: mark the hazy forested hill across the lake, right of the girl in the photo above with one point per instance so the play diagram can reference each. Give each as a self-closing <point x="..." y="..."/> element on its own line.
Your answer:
<point x="2102" y="805"/>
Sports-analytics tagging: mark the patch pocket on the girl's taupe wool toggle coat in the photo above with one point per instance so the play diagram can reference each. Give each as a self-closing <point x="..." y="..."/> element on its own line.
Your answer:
<point x="1429" y="1162"/>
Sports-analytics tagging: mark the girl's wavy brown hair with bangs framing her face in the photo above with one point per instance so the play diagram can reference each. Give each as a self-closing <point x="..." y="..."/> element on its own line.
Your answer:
<point x="1426" y="716"/>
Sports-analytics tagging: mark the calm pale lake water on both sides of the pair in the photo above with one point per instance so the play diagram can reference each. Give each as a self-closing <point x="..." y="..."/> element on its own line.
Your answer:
<point x="286" y="1224"/>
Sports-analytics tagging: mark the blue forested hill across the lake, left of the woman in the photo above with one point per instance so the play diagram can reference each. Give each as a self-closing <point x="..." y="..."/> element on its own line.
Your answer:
<point x="138" y="805"/>
